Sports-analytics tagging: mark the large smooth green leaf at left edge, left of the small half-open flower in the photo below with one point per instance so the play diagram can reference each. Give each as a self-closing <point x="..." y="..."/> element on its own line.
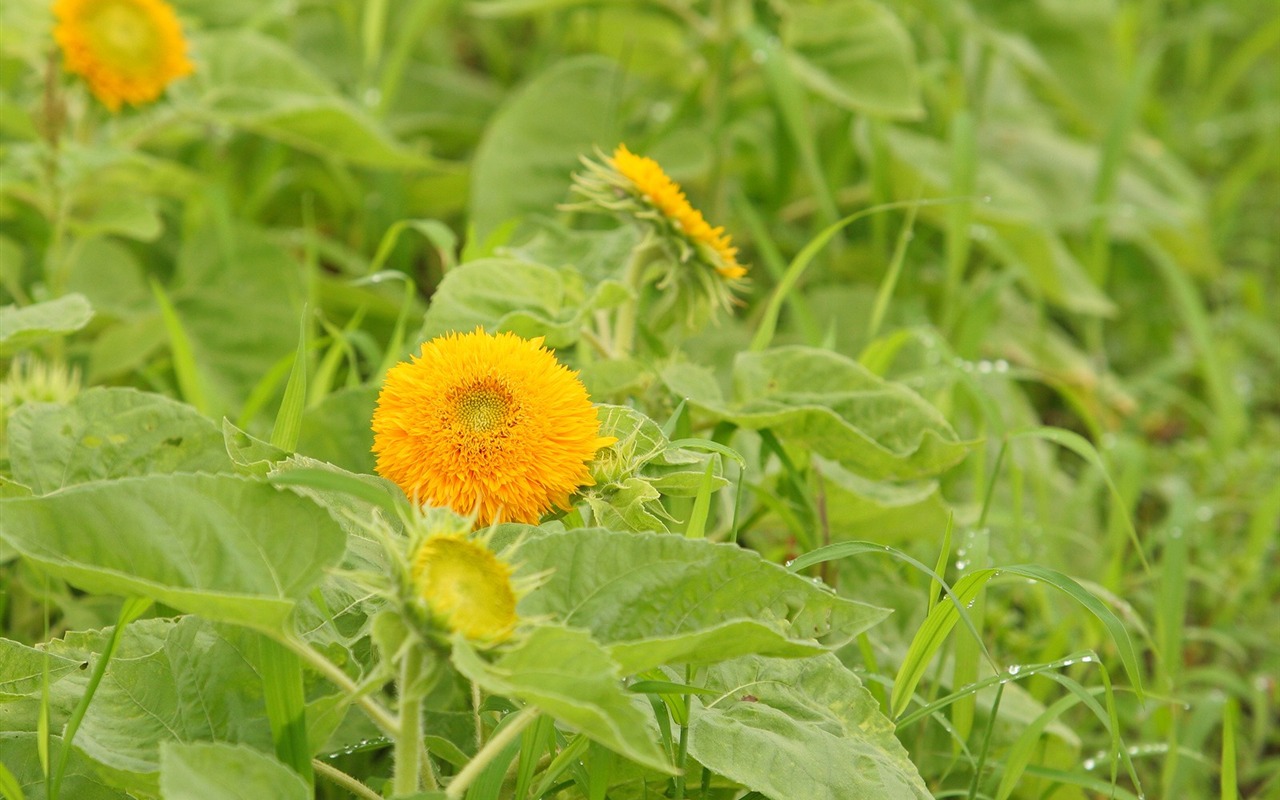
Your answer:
<point x="221" y="546"/>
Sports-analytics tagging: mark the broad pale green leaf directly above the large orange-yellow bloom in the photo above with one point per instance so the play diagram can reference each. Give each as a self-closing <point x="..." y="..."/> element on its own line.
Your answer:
<point x="525" y="299"/>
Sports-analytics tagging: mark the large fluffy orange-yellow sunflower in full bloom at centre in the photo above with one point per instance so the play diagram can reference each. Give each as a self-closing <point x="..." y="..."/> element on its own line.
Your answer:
<point x="484" y="424"/>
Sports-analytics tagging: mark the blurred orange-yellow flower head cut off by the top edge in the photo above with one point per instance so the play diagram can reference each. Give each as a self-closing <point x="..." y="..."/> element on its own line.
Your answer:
<point x="127" y="51"/>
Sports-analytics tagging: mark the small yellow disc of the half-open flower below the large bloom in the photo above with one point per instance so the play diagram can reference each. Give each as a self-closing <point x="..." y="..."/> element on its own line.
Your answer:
<point x="467" y="587"/>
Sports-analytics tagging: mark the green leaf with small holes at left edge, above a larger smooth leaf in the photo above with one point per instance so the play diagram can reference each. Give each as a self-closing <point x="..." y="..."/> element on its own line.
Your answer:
<point x="107" y="433"/>
